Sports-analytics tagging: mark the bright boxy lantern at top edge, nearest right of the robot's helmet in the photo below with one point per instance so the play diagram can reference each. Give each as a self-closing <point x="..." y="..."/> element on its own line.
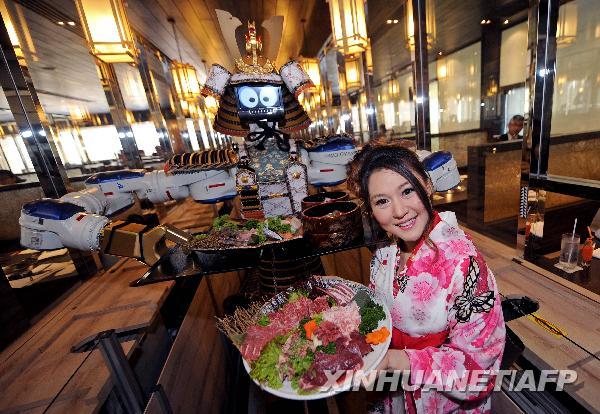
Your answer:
<point x="348" y="25"/>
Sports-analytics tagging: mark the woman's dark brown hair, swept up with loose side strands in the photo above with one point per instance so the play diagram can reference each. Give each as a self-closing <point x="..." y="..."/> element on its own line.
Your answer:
<point x="391" y="157"/>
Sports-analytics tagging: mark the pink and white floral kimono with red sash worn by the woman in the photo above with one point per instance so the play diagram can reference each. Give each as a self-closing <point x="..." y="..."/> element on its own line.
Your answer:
<point x="446" y="313"/>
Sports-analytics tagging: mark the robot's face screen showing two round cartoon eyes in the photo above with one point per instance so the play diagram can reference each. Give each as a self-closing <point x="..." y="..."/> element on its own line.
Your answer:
<point x="259" y="102"/>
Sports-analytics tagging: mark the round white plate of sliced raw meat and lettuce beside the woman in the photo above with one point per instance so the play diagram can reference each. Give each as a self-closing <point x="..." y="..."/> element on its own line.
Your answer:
<point x="306" y="340"/>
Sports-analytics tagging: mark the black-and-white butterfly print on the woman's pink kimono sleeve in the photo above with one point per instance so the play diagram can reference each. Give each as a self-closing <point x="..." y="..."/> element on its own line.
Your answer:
<point x="468" y="302"/>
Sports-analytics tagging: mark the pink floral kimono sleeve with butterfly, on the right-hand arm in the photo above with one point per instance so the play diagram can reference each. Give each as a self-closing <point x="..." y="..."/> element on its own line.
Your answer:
<point x="464" y="367"/>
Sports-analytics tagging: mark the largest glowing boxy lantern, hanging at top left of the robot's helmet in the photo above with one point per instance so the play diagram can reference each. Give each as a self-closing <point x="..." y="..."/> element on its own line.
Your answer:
<point x="107" y="30"/>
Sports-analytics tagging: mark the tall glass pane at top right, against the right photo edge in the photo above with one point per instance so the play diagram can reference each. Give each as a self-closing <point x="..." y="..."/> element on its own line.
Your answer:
<point x="576" y="101"/>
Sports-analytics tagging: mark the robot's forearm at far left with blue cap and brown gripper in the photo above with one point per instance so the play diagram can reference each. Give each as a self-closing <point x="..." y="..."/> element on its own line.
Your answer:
<point x="49" y="224"/>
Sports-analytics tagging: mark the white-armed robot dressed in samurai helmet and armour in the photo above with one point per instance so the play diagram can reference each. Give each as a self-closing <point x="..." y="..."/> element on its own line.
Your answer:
<point x="270" y="173"/>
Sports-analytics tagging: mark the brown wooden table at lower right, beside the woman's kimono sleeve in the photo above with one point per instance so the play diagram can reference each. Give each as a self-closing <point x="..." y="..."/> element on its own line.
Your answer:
<point x="573" y="309"/>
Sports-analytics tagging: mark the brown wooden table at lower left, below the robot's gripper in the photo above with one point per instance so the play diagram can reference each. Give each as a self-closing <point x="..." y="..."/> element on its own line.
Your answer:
<point x="38" y="372"/>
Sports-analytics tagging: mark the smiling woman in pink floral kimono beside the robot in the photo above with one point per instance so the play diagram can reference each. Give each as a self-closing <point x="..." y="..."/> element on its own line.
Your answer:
<point x="446" y="314"/>
